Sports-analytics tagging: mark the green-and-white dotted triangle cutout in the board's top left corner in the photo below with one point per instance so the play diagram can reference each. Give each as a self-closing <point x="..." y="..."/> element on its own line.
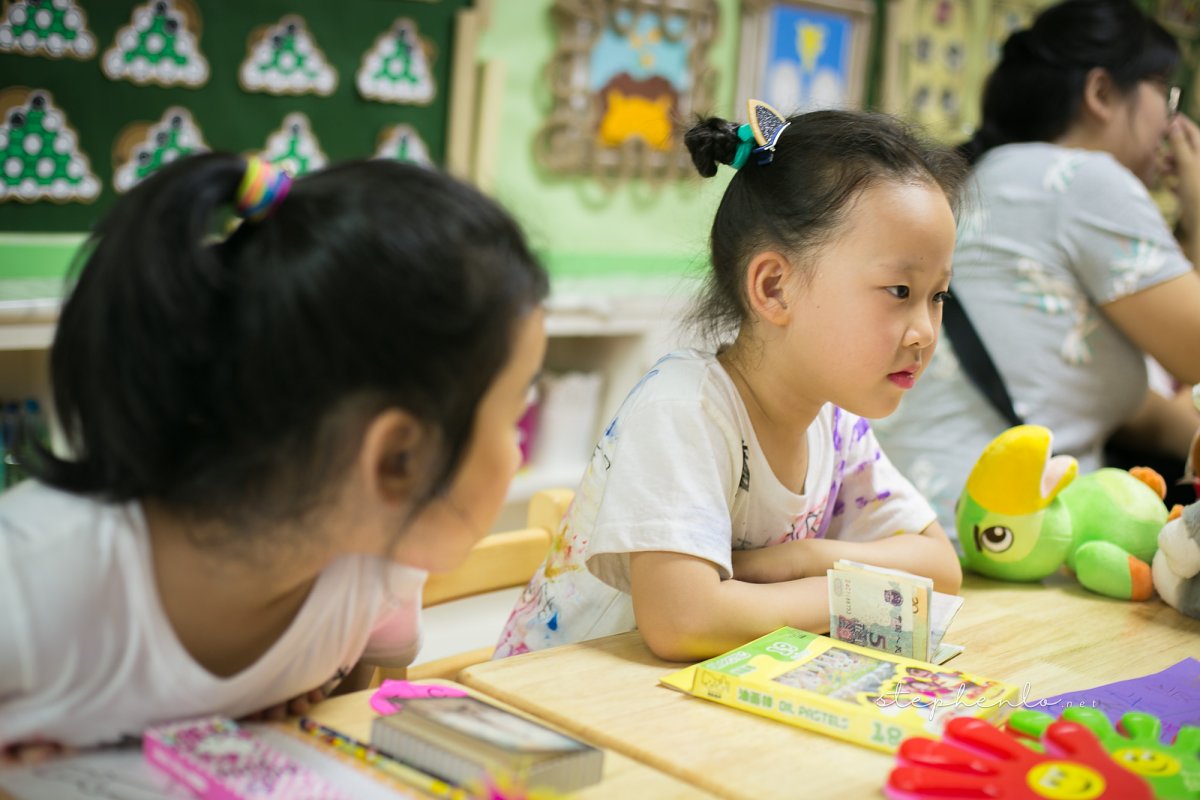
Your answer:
<point x="51" y="28"/>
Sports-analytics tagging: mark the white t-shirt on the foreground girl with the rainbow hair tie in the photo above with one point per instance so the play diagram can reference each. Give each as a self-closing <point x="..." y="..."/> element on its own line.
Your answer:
<point x="88" y="657"/>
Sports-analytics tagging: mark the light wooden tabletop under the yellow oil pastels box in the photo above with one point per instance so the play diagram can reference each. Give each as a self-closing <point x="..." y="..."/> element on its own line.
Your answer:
<point x="1048" y="639"/>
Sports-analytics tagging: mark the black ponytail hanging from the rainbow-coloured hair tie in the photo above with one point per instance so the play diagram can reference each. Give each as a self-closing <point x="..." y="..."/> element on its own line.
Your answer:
<point x="131" y="348"/>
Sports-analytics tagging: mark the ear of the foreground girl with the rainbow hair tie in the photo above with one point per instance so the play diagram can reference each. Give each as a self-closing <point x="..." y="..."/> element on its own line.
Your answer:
<point x="394" y="459"/>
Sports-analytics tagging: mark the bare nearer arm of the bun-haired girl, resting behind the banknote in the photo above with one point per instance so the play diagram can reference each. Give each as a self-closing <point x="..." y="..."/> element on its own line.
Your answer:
<point x="686" y="612"/>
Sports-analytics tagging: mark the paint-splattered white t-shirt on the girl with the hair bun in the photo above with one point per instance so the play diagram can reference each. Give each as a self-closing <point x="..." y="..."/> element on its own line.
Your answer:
<point x="680" y="470"/>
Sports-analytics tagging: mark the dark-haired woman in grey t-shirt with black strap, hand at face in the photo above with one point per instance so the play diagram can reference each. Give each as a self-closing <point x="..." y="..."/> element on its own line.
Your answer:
<point x="1065" y="267"/>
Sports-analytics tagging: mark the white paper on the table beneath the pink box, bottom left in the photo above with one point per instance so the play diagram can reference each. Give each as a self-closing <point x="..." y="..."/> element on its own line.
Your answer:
<point x="123" y="774"/>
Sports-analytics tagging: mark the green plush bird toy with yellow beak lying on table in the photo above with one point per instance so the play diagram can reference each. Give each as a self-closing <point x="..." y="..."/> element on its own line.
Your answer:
<point x="1024" y="515"/>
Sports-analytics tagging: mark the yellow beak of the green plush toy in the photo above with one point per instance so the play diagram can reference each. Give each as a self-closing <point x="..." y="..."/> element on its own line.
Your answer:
<point x="1016" y="474"/>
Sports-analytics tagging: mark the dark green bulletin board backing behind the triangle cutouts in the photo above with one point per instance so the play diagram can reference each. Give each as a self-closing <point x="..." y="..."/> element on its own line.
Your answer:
<point x="345" y="124"/>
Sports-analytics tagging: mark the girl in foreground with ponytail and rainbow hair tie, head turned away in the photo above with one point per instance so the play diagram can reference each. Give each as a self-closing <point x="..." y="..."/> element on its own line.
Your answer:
<point x="274" y="437"/>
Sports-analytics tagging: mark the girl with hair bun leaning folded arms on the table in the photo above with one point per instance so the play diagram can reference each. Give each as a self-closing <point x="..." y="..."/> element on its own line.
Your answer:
<point x="730" y="482"/>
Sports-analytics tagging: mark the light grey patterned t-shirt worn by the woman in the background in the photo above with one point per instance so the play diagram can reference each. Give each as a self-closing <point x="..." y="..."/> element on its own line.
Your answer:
<point x="1048" y="236"/>
